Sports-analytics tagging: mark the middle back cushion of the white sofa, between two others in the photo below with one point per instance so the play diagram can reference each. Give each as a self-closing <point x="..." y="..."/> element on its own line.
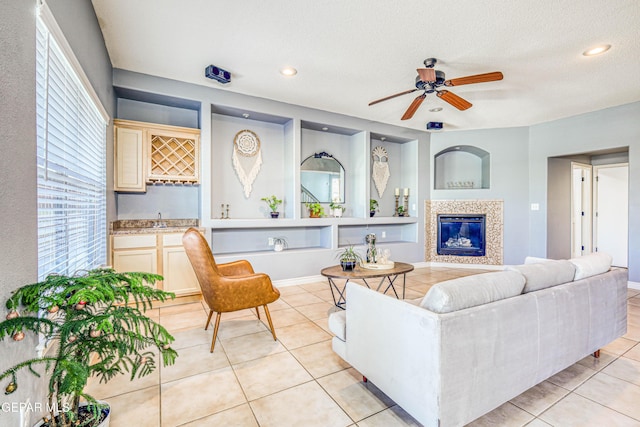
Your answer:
<point x="545" y="274"/>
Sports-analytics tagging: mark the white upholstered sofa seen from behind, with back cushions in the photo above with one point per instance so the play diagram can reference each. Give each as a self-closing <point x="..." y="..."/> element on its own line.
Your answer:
<point x="473" y="343"/>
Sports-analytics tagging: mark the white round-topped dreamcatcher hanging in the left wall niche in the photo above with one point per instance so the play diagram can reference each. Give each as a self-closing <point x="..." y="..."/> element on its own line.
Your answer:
<point x="247" y="158"/>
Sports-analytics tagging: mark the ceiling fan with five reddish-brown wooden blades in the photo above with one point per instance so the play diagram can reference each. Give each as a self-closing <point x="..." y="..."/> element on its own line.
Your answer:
<point x="429" y="80"/>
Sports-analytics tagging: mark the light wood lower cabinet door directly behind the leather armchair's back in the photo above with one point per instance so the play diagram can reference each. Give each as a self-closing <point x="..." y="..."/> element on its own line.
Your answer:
<point x="179" y="276"/>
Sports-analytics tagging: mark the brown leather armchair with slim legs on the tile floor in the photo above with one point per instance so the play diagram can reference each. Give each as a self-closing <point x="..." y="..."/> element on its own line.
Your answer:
<point x="227" y="287"/>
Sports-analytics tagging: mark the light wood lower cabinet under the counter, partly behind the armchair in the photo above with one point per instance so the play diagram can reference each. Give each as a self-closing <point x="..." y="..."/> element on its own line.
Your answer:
<point x="159" y="253"/>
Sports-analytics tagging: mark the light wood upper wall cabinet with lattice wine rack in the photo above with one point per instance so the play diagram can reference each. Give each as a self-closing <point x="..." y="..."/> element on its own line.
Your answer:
<point x="153" y="153"/>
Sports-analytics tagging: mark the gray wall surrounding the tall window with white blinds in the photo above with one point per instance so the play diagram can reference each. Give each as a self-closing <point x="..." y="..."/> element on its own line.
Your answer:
<point x="18" y="208"/>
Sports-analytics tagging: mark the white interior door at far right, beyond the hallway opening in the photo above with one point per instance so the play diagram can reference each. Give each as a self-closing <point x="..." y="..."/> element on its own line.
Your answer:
<point x="612" y="211"/>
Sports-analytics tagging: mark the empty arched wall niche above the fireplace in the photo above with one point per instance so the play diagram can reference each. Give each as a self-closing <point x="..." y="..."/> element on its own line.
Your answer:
<point x="462" y="167"/>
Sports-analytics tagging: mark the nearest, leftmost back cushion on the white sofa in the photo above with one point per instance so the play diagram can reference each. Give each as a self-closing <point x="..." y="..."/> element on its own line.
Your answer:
<point x="470" y="291"/>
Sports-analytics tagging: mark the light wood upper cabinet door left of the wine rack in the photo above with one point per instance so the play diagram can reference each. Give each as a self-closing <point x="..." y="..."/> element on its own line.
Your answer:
<point x="129" y="160"/>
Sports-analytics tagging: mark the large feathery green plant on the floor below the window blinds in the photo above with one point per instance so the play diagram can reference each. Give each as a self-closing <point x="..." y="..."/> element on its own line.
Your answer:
<point x="97" y="321"/>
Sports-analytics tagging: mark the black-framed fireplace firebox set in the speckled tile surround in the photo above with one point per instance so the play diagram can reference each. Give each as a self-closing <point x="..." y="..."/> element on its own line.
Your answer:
<point x="461" y="234"/>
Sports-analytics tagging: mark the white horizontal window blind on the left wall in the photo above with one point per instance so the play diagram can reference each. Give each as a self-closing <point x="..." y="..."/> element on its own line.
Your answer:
<point x="71" y="151"/>
